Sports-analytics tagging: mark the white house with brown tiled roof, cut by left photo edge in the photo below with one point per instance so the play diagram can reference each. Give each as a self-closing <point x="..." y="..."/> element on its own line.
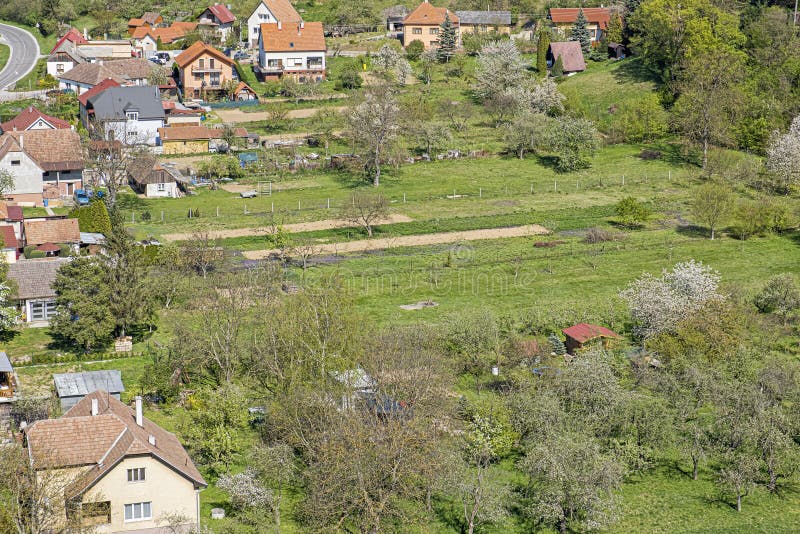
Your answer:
<point x="46" y="164"/>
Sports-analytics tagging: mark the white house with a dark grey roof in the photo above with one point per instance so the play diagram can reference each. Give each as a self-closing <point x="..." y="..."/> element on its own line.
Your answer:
<point x="131" y="115"/>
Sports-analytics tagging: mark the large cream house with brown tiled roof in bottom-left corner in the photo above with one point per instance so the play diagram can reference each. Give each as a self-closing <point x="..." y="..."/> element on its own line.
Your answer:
<point x="118" y="470"/>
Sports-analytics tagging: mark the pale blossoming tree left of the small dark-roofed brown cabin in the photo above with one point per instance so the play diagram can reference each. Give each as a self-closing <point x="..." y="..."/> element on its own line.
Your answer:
<point x="500" y="66"/>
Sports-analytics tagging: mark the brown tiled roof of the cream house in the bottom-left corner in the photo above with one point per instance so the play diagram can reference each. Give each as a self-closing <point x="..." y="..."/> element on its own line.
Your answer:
<point x="80" y="439"/>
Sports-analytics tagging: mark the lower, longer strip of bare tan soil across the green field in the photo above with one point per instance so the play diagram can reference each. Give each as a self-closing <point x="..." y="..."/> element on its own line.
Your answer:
<point x="414" y="240"/>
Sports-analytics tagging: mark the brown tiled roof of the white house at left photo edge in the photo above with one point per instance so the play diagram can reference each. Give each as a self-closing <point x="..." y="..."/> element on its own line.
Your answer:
<point x="52" y="150"/>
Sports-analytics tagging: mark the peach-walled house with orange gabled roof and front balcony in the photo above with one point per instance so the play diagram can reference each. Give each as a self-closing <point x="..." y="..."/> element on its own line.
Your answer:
<point x="203" y="68"/>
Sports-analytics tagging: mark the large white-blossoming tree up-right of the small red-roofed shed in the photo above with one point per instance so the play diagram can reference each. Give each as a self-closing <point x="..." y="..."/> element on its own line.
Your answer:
<point x="657" y="304"/>
